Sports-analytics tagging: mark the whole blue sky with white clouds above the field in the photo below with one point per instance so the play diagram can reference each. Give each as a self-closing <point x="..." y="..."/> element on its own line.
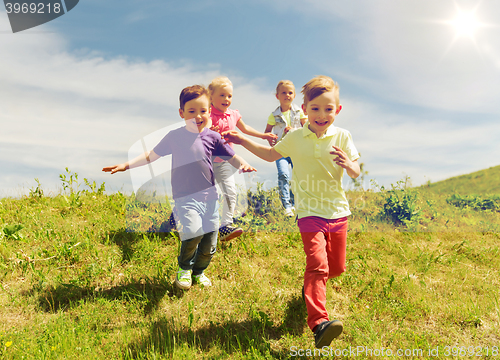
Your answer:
<point x="419" y="99"/>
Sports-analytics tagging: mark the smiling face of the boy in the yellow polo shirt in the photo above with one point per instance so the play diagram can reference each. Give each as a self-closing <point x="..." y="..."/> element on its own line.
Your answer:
<point x="321" y="112"/>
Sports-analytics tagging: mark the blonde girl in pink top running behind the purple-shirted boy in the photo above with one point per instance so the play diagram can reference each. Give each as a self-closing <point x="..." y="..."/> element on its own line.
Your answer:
<point x="225" y="119"/>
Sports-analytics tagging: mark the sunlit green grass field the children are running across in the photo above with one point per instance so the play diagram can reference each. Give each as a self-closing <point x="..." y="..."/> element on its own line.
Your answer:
<point x="76" y="283"/>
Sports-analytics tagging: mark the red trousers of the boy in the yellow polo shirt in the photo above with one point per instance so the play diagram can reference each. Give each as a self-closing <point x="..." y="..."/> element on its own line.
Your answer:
<point x="325" y="247"/>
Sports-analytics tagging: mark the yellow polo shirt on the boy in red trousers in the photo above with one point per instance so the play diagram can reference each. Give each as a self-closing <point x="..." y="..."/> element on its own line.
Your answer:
<point x="316" y="179"/>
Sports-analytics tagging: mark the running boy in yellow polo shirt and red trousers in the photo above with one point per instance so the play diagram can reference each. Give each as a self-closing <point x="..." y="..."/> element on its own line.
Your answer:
<point x="320" y="153"/>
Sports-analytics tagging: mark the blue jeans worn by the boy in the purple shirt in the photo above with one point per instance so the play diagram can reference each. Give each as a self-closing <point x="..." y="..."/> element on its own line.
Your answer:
<point x="199" y="227"/>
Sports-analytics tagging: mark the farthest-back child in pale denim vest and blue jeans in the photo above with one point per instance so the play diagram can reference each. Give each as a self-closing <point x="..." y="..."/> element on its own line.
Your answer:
<point x="287" y="116"/>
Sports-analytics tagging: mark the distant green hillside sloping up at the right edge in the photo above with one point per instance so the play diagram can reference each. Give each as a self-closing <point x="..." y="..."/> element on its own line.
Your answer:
<point x="480" y="182"/>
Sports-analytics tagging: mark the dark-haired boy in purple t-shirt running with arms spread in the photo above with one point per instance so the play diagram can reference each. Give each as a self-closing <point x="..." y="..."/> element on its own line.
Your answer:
<point x="195" y="196"/>
